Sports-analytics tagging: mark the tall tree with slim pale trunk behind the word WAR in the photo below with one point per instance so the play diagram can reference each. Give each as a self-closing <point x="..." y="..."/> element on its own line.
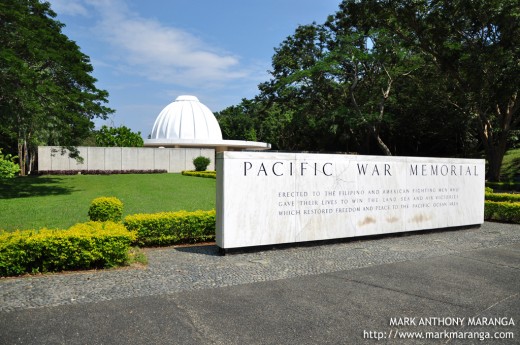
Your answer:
<point x="367" y="63"/>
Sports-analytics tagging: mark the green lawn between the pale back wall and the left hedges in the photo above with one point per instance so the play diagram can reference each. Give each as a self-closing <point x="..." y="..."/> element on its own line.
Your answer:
<point x="61" y="201"/>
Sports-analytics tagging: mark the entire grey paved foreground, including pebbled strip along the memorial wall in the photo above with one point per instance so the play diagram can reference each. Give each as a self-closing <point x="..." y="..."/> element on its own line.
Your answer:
<point x="444" y="285"/>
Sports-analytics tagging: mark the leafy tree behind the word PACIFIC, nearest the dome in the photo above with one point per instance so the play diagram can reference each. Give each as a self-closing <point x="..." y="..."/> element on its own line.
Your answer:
<point x="302" y="95"/>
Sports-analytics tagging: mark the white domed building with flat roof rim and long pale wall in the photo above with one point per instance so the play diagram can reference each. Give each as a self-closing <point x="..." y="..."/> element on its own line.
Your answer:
<point x="184" y="130"/>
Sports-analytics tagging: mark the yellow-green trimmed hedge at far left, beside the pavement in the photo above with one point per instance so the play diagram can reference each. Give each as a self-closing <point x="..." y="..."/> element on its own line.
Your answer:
<point x="82" y="246"/>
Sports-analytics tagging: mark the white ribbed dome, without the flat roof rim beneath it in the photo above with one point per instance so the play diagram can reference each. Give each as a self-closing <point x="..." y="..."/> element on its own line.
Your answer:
<point x="186" y="118"/>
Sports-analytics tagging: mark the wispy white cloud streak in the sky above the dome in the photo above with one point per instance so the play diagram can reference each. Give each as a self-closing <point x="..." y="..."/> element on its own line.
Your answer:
<point x="162" y="53"/>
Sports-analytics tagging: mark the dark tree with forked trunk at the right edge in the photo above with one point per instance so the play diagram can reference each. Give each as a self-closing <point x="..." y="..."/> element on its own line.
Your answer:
<point x="476" y="47"/>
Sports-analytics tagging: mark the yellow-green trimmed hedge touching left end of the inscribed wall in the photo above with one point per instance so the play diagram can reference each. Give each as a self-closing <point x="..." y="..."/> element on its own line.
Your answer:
<point x="166" y="228"/>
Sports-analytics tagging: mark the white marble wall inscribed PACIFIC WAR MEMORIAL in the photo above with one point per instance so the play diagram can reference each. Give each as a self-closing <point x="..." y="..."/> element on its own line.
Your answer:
<point x="271" y="198"/>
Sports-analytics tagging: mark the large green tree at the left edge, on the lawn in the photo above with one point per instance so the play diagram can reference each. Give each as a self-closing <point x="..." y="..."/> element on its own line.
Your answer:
<point x="47" y="94"/>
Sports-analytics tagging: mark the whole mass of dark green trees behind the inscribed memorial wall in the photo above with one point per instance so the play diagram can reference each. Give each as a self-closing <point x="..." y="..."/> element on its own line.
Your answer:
<point x="431" y="78"/>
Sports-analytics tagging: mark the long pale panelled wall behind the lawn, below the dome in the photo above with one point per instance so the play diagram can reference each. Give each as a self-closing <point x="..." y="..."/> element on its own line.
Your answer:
<point x="173" y="160"/>
